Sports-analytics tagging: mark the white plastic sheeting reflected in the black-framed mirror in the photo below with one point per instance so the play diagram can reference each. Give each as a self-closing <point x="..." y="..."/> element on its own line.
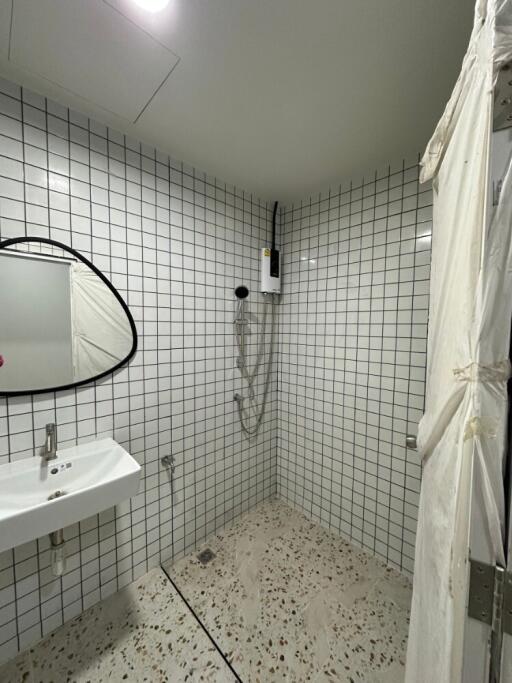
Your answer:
<point x="102" y="336"/>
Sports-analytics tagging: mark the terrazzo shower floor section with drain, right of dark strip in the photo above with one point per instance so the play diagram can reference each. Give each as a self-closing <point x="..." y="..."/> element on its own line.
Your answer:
<point x="287" y="600"/>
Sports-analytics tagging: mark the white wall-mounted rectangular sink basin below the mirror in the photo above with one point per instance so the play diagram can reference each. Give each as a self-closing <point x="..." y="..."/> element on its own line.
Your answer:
<point x="38" y="496"/>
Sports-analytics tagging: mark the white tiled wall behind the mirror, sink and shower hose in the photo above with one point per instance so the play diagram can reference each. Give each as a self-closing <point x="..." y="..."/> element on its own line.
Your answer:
<point x="175" y="243"/>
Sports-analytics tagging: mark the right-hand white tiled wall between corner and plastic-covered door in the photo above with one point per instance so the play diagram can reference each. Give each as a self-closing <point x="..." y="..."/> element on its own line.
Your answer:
<point x="353" y="327"/>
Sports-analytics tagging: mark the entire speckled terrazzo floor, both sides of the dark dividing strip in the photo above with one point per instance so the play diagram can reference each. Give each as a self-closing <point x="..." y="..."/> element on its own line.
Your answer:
<point x="284" y="599"/>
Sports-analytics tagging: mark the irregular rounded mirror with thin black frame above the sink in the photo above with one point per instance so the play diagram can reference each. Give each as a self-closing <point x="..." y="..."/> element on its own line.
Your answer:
<point x="62" y="323"/>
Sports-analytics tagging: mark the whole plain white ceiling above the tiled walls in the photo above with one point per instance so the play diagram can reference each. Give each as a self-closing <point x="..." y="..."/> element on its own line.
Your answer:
<point x="281" y="97"/>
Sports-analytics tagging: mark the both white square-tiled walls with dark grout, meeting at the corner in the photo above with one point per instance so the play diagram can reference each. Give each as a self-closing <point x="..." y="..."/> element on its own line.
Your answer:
<point x="175" y="243"/>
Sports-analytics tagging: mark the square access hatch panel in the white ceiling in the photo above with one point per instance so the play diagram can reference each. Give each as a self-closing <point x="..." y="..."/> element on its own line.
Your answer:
<point x="113" y="63"/>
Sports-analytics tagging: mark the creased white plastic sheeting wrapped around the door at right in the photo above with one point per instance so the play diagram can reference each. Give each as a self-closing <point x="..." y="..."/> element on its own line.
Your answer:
<point x="463" y="429"/>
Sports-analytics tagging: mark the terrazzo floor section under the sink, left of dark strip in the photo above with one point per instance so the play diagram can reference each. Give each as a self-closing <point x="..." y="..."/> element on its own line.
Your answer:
<point x="145" y="633"/>
